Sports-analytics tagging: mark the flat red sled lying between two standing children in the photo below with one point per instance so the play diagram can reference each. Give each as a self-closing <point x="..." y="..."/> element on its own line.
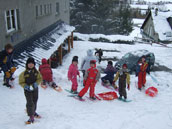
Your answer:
<point x="108" y="95"/>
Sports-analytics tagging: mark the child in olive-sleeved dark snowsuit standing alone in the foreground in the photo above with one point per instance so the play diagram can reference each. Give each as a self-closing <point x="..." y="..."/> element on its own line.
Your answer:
<point x="29" y="80"/>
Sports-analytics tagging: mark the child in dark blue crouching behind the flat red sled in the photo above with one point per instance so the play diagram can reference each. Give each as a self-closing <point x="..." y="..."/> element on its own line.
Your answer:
<point x="109" y="71"/>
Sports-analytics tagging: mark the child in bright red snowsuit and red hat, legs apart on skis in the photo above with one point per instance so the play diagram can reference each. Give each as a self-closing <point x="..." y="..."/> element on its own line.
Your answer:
<point x="90" y="79"/>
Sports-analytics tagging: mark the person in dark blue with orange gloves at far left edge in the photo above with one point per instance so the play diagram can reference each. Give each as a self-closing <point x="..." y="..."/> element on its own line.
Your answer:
<point x="7" y="64"/>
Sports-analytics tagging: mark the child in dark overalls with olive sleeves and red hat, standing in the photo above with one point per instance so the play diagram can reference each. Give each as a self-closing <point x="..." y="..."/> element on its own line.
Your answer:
<point x="124" y="77"/>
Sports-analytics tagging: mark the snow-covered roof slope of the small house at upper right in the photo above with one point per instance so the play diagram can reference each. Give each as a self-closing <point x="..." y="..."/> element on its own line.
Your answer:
<point x="161" y="24"/>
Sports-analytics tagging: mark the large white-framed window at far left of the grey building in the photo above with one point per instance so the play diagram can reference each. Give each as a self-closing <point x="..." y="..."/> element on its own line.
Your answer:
<point x="11" y="18"/>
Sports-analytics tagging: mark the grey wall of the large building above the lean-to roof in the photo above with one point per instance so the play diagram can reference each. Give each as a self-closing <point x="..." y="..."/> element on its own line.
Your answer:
<point x="30" y="19"/>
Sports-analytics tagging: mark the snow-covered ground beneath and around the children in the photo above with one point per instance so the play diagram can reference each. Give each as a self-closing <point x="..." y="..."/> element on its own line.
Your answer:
<point x="59" y="111"/>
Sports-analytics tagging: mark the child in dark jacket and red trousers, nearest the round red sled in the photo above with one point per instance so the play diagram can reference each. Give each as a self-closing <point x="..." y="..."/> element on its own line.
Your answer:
<point x="141" y="69"/>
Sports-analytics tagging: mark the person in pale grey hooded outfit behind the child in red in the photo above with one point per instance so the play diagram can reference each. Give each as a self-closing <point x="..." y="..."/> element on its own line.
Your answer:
<point x="85" y="65"/>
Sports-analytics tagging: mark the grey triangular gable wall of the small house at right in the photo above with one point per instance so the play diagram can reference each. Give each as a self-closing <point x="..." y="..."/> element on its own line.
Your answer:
<point x="149" y="30"/>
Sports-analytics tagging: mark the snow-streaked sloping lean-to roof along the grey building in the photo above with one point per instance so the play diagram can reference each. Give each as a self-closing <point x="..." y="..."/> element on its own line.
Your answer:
<point x="44" y="46"/>
